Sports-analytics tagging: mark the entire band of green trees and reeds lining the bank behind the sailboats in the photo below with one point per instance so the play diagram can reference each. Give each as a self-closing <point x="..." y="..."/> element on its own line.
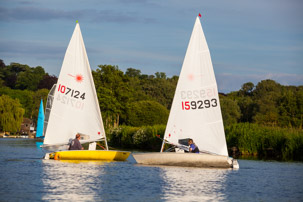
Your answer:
<point x="263" y="120"/>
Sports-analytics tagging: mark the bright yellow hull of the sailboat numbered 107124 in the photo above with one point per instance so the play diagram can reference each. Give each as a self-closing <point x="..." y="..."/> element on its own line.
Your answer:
<point x="104" y="155"/>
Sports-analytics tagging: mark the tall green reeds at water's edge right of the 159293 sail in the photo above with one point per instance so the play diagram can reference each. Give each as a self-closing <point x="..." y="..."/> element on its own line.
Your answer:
<point x="266" y="142"/>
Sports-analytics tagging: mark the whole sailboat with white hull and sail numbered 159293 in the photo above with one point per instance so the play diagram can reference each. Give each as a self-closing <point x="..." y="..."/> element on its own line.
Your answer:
<point x="195" y="114"/>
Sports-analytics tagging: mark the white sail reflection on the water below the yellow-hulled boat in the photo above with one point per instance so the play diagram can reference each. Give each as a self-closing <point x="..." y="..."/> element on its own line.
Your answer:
<point x="71" y="180"/>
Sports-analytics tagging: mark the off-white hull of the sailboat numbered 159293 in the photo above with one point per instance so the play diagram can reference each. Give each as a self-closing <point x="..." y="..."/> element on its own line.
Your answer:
<point x="185" y="160"/>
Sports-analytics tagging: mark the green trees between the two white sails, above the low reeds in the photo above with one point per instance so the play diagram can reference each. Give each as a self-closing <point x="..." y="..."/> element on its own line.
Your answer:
<point x="132" y="98"/>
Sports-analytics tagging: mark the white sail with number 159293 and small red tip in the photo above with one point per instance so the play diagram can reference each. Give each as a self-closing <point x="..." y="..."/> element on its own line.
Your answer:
<point x="195" y="111"/>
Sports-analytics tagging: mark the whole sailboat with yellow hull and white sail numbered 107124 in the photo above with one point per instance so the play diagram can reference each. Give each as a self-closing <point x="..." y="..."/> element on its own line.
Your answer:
<point x="75" y="109"/>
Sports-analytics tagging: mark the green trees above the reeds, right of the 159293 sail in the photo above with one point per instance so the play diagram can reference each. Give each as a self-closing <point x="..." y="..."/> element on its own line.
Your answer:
<point x="270" y="104"/>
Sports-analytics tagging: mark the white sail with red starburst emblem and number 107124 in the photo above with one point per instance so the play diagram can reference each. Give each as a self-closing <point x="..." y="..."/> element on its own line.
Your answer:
<point x="75" y="108"/>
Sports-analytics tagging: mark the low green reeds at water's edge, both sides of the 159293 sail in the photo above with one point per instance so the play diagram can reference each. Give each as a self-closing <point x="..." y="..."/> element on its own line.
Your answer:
<point x="244" y="140"/>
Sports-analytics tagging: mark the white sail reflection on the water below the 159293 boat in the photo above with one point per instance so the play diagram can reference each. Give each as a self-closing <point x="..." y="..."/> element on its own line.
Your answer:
<point x="193" y="184"/>
